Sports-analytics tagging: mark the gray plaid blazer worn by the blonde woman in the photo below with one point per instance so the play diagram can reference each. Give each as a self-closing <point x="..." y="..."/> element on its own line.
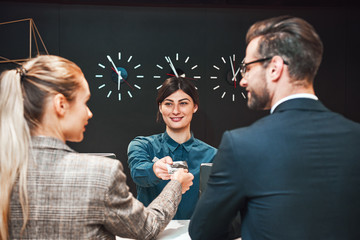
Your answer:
<point x="80" y="196"/>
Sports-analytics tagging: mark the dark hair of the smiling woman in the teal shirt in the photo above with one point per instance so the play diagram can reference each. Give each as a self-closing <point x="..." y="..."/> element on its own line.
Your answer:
<point x="172" y="85"/>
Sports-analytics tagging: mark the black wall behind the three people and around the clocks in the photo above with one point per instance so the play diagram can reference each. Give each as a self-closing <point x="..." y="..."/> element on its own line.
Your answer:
<point x="86" y="31"/>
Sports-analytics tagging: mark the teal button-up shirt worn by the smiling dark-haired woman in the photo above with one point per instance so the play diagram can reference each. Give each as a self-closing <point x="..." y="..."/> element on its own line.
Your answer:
<point x="143" y="150"/>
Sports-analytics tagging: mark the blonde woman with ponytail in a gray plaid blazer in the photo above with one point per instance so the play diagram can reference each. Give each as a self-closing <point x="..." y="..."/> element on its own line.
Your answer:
<point x="47" y="189"/>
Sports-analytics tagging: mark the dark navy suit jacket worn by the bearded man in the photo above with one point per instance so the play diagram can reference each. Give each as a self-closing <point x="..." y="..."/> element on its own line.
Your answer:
<point x="294" y="174"/>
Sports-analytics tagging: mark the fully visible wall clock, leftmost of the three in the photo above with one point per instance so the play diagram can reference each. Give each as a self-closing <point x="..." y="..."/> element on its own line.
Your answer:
<point x="119" y="76"/>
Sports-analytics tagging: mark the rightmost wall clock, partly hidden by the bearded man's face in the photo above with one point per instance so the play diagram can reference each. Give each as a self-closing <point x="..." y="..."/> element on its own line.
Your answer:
<point x="225" y="77"/>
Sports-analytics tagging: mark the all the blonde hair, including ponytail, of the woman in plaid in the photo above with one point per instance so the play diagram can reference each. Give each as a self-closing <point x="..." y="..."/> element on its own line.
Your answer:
<point x="23" y="94"/>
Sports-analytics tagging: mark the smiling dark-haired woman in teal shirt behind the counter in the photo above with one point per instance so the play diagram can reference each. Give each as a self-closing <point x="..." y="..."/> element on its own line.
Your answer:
<point x="178" y="100"/>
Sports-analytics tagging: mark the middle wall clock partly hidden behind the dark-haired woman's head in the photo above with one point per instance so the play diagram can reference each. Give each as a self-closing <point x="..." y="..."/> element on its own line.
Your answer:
<point x="176" y="65"/>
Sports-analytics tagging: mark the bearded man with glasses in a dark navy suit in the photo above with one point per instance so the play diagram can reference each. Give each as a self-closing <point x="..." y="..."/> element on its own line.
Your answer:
<point x="294" y="174"/>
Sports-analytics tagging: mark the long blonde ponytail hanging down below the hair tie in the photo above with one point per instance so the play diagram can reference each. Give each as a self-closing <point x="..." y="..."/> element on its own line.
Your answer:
<point x="14" y="153"/>
